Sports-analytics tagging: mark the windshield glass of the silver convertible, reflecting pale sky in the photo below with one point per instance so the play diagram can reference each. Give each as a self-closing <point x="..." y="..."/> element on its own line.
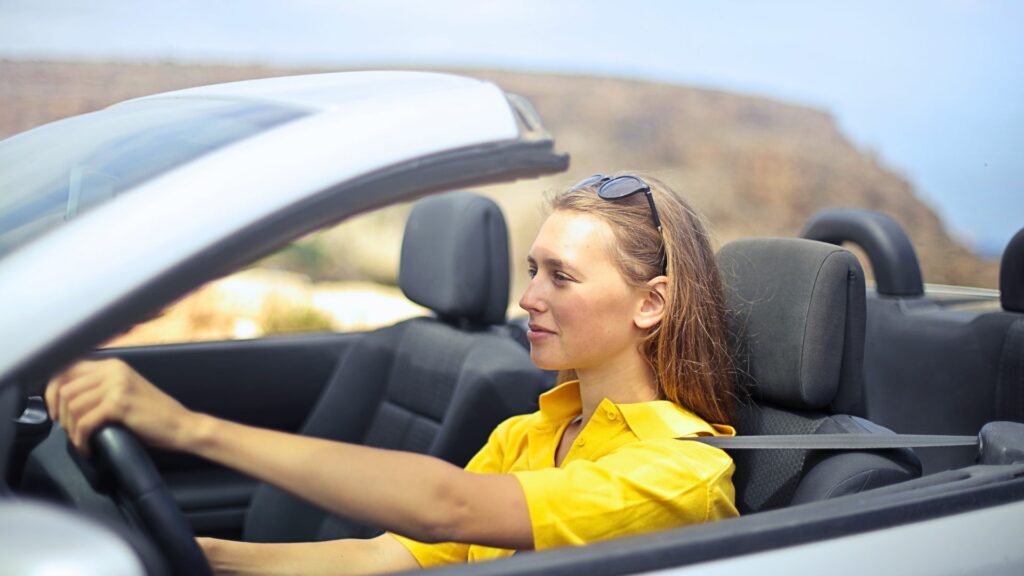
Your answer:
<point x="54" y="174"/>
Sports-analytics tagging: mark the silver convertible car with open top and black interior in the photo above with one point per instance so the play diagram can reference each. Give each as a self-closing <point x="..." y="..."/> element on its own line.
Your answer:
<point x="108" y="218"/>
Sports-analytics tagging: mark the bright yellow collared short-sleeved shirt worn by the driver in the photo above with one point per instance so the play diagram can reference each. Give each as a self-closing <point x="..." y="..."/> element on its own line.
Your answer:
<point x="625" y="474"/>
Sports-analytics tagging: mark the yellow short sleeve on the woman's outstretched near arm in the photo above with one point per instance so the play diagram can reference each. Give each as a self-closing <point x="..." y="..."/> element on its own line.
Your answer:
<point x="644" y="487"/>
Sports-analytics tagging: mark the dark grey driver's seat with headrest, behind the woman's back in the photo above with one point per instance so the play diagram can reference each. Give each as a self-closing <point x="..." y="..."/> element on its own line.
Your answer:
<point x="797" y="324"/>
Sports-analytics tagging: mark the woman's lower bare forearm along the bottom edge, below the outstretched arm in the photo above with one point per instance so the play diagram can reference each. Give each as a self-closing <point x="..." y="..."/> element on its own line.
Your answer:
<point x="382" y="554"/>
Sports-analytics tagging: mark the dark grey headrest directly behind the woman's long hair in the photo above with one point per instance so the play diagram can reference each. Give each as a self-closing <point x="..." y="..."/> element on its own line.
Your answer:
<point x="796" y="313"/>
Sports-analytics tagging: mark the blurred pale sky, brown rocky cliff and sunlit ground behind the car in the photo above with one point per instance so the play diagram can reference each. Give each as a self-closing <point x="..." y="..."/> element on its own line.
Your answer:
<point x="761" y="113"/>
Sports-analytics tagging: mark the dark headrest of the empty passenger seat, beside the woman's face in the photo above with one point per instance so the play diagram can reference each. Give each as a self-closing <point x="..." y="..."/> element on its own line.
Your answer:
<point x="455" y="259"/>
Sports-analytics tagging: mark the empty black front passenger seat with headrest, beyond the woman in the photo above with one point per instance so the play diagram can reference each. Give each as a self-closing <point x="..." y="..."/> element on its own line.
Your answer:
<point x="435" y="386"/>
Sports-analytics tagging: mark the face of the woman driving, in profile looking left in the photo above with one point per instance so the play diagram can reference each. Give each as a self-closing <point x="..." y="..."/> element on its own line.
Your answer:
<point x="581" y="308"/>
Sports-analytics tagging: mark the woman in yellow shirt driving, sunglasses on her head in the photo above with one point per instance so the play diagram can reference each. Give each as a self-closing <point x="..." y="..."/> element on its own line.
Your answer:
<point x="631" y="314"/>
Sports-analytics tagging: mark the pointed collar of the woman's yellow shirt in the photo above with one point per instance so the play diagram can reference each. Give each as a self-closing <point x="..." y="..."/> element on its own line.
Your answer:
<point x="660" y="419"/>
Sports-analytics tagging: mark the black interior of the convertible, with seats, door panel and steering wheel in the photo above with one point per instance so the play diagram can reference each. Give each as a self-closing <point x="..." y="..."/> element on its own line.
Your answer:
<point x="816" y="355"/>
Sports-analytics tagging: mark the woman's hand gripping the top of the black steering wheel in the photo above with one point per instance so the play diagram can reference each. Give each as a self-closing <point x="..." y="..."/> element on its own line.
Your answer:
<point x="93" y="394"/>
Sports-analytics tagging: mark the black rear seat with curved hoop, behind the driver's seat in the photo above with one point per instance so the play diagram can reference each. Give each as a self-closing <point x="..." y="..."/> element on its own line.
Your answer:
<point x="933" y="364"/>
